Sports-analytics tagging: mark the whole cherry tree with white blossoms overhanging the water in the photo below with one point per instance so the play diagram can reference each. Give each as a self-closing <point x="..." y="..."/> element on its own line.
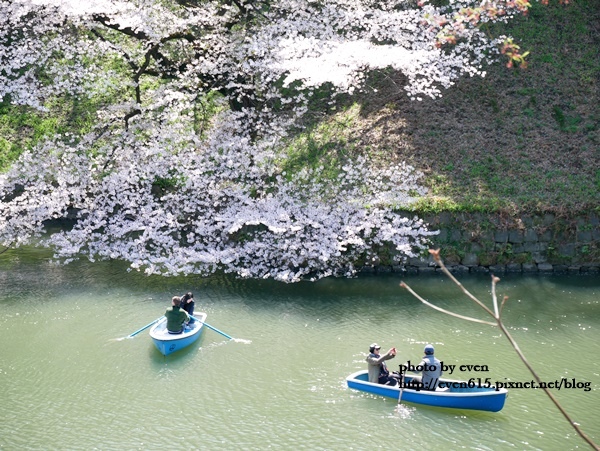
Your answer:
<point x="184" y="170"/>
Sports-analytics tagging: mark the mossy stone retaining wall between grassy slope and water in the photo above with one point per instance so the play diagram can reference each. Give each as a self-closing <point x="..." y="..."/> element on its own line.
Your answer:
<point x="477" y="242"/>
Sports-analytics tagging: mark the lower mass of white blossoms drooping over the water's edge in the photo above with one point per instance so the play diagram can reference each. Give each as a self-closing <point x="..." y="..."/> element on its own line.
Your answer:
<point x="226" y="212"/>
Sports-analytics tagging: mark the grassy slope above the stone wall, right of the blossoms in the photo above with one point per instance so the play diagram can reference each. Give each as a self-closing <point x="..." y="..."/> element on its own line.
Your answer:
<point x="515" y="140"/>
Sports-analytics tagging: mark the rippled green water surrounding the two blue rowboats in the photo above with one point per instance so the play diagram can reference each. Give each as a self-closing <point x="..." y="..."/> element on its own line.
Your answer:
<point x="67" y="383"/>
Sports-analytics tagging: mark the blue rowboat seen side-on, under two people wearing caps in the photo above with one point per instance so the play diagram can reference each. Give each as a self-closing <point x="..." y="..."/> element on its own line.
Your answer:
<point x="450" y="393"/>
